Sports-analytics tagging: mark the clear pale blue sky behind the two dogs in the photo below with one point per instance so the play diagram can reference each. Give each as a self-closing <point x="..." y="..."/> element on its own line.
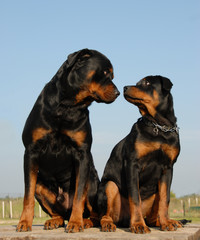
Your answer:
<point x="139" y="37"/>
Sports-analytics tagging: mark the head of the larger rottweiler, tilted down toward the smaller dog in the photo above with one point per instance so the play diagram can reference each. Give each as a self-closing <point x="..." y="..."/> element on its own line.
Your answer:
<point x="87" y="76"/>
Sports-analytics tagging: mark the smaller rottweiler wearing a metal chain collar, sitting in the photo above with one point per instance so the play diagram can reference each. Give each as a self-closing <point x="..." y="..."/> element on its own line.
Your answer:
<point x="135" y="187"/>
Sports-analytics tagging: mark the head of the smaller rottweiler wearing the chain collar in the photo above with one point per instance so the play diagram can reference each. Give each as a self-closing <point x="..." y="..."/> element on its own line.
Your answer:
<point x="151" y="95"/>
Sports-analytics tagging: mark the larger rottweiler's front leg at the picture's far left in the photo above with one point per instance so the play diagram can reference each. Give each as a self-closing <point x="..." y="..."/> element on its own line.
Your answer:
<point x="30" y="177"/>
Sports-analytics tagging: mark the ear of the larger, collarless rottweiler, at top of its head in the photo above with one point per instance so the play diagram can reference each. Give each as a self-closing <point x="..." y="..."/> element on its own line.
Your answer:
<point x="74" y="57"/>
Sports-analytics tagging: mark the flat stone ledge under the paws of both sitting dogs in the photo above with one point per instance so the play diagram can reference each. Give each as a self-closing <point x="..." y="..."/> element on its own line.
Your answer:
<point x="189" y="232"/>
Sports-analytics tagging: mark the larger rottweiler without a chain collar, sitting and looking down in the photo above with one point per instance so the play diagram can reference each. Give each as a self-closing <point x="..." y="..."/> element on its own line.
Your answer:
<point x="58" y="165"/>
